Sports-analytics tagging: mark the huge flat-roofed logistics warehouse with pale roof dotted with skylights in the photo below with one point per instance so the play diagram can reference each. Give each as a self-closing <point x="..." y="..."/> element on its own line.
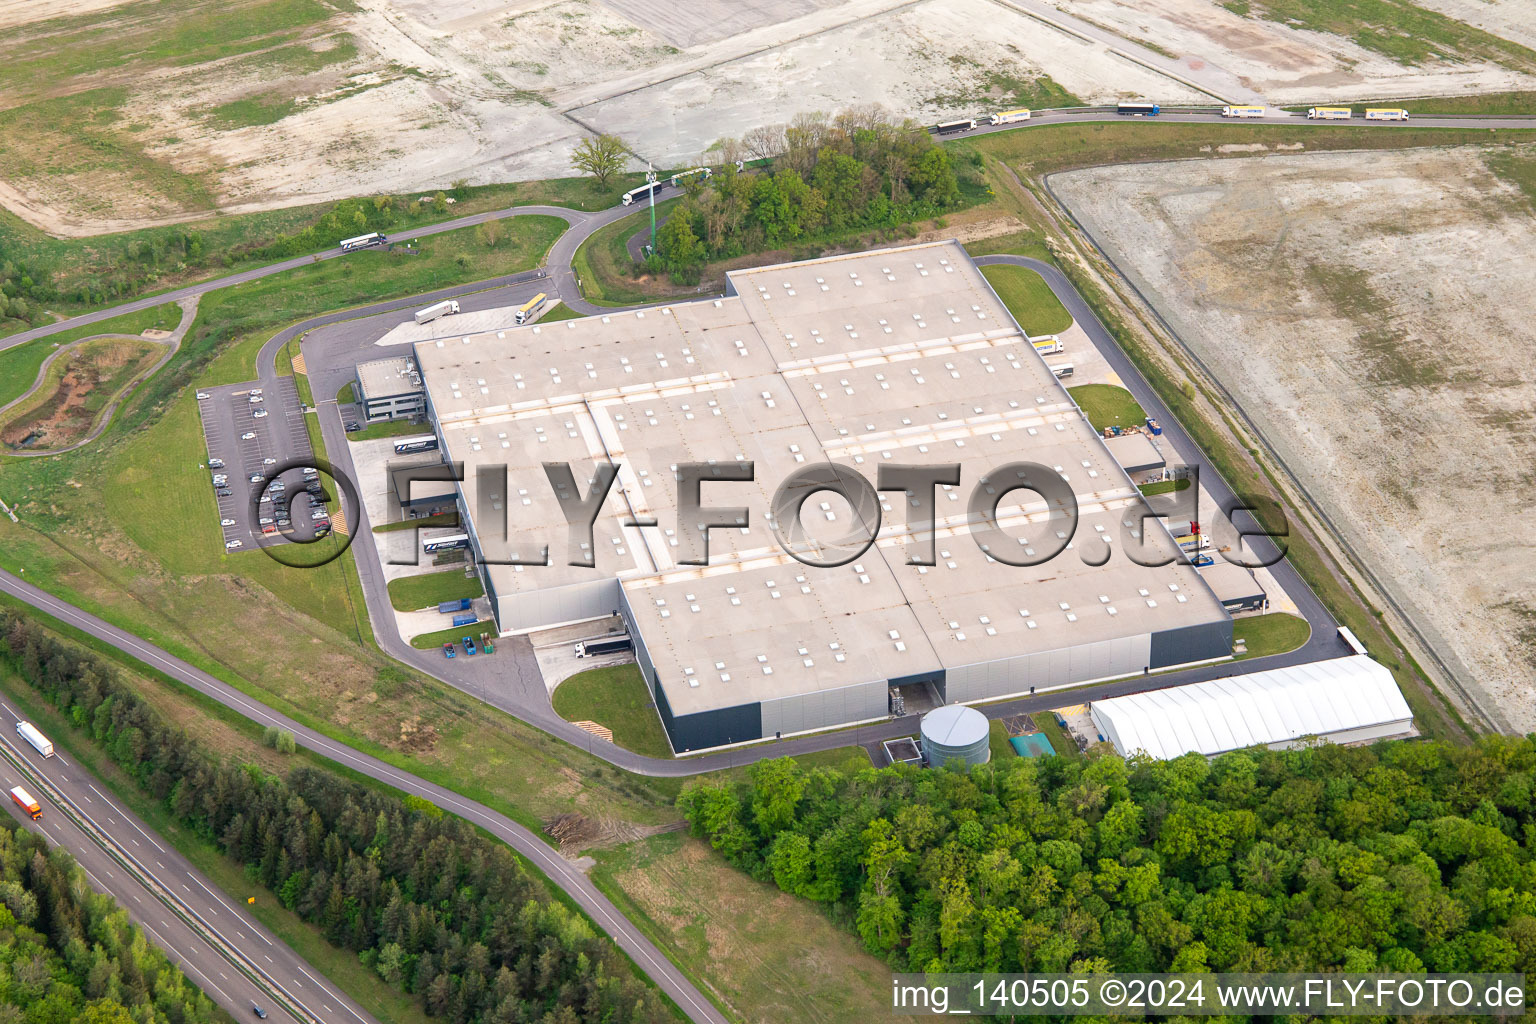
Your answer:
<point x="893" y="357"/>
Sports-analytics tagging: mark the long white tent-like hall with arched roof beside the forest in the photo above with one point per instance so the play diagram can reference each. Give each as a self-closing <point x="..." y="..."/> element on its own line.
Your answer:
<point x="1343" y="701"/>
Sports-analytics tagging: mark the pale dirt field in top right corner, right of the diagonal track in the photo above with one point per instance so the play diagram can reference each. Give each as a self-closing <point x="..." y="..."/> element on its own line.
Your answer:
<point x="1294" y="65"/>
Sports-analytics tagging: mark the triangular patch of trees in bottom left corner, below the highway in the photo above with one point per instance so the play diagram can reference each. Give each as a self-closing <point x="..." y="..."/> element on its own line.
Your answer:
<point x="70" y="956"/>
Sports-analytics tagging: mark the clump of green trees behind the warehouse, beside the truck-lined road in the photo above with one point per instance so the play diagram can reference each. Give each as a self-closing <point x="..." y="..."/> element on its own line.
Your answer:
<point x="815" y="179"/>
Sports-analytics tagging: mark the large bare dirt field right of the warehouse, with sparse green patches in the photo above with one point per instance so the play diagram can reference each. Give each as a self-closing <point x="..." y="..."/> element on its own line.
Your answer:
<point x="1371" y="314"/>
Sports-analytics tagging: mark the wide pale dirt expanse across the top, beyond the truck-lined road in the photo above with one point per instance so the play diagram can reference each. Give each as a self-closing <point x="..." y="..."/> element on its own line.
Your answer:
<point x="136" y="114"/>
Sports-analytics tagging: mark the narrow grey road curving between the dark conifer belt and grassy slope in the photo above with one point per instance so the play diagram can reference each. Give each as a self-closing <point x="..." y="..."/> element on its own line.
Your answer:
<point x="557" y="868"/>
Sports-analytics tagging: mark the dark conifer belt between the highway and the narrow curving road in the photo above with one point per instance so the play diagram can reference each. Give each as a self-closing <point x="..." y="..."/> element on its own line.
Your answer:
<point x="422" y="897"/>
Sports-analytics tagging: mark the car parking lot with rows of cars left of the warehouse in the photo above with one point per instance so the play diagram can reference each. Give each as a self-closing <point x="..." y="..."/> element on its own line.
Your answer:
<point x="251" y="434"/>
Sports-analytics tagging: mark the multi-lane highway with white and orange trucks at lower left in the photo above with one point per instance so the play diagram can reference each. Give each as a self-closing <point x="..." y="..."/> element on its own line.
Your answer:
<point x="70" y="796"/>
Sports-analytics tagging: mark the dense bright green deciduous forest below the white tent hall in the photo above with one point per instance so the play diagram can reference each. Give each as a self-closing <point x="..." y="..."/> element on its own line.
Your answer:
<point x="1400" y="857"/>
